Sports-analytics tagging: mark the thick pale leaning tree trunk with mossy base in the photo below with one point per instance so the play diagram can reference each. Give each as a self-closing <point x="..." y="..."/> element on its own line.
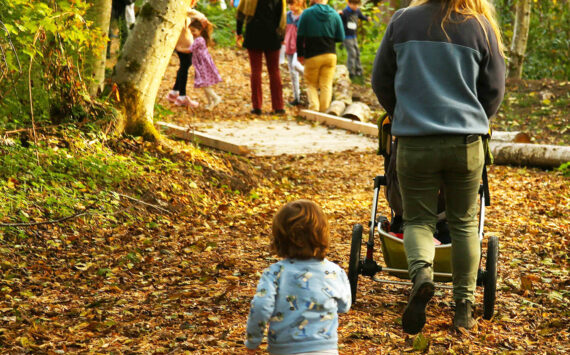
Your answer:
<point x="143" y="61"/>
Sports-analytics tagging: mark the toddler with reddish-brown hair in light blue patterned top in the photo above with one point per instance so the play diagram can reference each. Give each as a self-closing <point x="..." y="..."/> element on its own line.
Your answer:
<point x="300" y="296"/>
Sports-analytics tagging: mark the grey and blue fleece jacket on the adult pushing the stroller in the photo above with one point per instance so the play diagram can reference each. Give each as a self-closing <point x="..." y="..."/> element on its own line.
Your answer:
<point x="434" y="85"/>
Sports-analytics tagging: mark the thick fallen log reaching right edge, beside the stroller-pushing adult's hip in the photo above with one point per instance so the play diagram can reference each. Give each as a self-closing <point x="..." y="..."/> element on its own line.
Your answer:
<point x="540" y="155"/>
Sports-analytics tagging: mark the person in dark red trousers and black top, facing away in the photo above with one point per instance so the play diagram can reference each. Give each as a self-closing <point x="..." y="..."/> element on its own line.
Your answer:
<point x="265" y="27"/>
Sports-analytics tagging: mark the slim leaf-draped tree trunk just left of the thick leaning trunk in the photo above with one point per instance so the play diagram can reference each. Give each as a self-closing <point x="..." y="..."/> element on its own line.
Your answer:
<point x="100" y="14"/>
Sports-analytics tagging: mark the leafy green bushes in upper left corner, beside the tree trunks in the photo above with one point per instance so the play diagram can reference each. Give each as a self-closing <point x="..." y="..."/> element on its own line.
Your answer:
<point x="44" y="43"/>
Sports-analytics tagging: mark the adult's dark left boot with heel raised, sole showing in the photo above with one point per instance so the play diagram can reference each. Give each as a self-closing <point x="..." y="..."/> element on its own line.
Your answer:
<point x="414" y="316"/>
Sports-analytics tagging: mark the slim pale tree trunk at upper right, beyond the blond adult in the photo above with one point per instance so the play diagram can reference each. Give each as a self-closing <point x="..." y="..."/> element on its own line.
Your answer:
<point x="520" y="38"/>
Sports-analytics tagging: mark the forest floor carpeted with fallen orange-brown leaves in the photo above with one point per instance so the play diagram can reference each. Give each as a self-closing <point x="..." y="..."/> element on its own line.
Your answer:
<point x="176" y="273"/>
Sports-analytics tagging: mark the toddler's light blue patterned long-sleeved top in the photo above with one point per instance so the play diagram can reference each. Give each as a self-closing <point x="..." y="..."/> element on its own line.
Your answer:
<point x="300" y="300"/>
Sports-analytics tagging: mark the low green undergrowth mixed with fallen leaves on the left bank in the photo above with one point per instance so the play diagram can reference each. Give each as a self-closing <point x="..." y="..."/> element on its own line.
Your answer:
<point x="85" y="176"/>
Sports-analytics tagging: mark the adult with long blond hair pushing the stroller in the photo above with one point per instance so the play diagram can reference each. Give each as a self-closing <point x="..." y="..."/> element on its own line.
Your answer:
<point x="440" y="74"/>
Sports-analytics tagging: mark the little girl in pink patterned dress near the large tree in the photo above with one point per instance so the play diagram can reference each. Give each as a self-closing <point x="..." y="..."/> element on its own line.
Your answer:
<point x="206" y="74"/>
